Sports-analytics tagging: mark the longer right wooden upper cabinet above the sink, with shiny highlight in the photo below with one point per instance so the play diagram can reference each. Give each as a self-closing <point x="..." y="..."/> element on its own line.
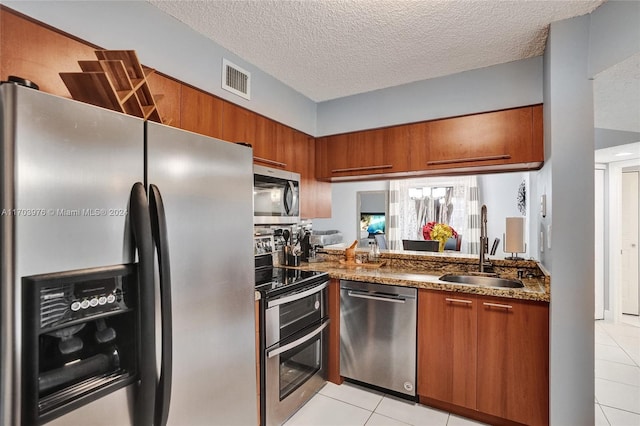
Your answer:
<point x="482" y="140"/>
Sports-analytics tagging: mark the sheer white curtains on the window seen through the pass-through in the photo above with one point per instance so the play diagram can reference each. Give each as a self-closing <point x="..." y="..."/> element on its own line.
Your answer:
<point x="407" y="215"/>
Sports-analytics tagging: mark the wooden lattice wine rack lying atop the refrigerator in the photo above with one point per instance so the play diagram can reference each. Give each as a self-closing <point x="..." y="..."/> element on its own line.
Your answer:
<point x="117" y="81"/>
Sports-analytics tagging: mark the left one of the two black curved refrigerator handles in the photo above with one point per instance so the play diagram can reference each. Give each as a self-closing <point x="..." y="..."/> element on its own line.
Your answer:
<point x="140" y="225"/>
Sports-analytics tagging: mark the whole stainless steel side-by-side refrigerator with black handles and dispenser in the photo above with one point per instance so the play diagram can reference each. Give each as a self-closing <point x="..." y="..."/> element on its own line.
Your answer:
<point x="122" y="303"/>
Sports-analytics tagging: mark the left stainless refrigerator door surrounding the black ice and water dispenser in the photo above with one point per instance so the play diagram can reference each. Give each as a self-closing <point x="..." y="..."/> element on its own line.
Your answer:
<point x="67" y="172"/>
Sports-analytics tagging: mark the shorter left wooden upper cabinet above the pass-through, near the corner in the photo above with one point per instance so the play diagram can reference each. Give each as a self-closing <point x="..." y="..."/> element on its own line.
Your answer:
<point x="370" y="152"/>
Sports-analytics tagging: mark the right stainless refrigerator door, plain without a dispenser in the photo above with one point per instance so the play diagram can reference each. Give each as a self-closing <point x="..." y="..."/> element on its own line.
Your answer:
<point x="207" y="189"/>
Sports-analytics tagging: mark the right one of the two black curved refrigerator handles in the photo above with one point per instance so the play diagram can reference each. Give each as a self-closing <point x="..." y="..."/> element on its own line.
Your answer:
<point x="159" y="231"/>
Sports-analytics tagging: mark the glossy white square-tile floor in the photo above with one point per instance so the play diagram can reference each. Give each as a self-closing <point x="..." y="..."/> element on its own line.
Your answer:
<point x="617" y="399"/>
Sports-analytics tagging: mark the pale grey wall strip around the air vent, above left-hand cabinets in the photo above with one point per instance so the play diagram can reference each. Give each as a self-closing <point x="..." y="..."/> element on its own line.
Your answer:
<point x="166" y="44"/>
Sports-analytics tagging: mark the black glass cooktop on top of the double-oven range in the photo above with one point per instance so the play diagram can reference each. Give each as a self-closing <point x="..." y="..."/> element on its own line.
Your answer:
<point x="273" y="281"/>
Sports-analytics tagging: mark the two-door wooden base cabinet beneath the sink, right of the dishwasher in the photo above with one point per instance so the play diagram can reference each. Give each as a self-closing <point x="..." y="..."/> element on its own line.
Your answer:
<point x="484" y="357"/>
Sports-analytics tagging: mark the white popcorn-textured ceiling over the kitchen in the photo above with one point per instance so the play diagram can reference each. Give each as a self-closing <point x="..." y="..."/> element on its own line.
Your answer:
<point x="326" y="49"/>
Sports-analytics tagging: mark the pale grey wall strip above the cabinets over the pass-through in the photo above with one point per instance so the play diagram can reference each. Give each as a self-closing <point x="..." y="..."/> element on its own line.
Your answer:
<point x="501" y="86"/>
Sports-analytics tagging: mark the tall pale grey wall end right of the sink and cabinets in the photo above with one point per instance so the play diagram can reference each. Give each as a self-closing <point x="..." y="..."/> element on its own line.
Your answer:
<point x="569" y="128"/>
